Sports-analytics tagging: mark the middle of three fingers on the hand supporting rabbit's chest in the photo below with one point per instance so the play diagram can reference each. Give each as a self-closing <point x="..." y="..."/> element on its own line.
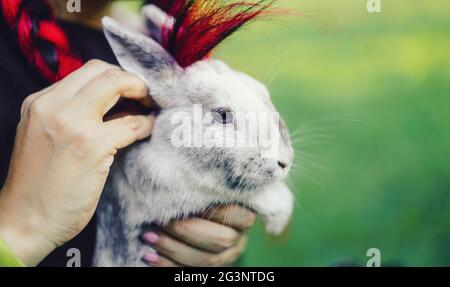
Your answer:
<point x="203" y="234"/>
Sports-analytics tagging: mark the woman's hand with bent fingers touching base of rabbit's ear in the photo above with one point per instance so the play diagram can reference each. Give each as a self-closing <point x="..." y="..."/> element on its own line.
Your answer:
<point x="62" y="155"/>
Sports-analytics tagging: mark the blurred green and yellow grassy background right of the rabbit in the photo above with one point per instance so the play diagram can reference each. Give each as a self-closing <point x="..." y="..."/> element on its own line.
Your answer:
<point x="367" y="97"/>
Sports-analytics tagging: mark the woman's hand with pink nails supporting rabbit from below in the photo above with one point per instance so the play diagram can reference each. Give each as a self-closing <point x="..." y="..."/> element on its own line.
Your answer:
<point x="217" y="239"/>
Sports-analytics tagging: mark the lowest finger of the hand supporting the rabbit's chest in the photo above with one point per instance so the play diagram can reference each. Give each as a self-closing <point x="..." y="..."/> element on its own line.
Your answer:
<point x="187" y="255"/>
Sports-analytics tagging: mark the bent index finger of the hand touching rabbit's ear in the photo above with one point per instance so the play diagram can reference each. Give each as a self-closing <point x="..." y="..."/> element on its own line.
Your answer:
<point x="109" y="87"/>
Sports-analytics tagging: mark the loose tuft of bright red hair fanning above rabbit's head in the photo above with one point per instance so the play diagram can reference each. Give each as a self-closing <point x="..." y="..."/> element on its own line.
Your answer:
<point x="200" y="25"/>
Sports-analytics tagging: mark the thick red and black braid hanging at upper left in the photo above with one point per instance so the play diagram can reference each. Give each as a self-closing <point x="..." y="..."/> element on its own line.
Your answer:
<point x="40" y="38"/>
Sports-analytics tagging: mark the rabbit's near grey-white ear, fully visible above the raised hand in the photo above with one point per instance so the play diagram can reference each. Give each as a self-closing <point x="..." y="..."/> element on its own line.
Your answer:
<point x="142" y="56"/>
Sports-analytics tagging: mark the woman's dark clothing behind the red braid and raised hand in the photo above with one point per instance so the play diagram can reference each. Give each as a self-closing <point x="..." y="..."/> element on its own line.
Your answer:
<point x="18" y="79"/>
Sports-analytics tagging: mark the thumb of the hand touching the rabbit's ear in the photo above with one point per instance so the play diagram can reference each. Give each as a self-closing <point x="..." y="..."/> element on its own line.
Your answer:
<point x="124" y="131"/>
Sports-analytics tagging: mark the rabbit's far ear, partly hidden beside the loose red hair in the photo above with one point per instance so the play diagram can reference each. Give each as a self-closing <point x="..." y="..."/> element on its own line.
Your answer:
<point x="156" y="21"/>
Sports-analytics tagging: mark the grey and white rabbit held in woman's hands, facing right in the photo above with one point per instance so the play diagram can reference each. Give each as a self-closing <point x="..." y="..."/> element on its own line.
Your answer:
<point x="154" y="182"/>
